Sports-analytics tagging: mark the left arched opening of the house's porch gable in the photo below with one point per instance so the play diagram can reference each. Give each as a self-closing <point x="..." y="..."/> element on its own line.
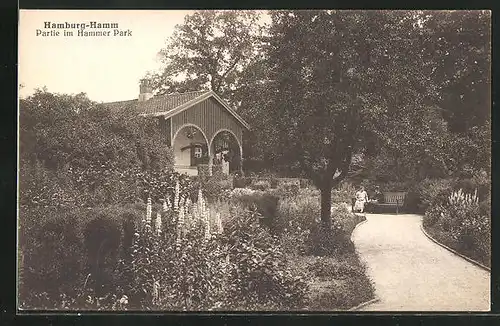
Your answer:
<point x="190" y="149"/>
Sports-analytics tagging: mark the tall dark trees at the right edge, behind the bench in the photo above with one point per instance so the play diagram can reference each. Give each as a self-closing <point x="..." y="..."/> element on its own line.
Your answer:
<point x="449" y="134"/>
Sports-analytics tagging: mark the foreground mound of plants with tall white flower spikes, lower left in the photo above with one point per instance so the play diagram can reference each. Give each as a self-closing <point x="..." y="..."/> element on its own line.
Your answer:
<point x="180" y="256"/>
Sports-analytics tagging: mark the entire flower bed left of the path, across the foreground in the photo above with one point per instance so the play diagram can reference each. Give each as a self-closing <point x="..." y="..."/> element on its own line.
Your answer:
<point x="180" y="251"/>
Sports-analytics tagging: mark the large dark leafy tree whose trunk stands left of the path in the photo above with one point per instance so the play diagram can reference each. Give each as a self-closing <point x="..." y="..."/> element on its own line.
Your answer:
<point x="346" y="82"/>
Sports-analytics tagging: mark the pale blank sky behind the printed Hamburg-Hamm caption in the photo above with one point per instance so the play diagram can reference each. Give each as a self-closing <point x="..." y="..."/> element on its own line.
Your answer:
<point x="106" y="68"/>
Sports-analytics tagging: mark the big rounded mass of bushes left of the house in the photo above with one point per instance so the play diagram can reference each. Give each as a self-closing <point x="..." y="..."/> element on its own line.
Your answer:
<point x="76" y="152"/>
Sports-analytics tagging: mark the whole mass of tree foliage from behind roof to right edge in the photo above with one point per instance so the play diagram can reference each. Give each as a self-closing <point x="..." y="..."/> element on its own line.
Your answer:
<point x="408" y="89"/>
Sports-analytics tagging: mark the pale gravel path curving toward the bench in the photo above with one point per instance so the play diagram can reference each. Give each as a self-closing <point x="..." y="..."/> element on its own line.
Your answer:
<point x="411" y="273"/>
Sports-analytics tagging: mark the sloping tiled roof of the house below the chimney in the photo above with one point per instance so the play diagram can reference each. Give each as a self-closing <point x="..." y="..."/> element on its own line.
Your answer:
<point x="158" y="104"/>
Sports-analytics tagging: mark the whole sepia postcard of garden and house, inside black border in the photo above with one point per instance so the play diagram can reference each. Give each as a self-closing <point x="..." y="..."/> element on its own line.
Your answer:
<point x="254" y="160"/>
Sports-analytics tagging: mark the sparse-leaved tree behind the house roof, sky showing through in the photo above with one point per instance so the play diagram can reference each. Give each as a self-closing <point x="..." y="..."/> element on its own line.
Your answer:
<point x="211" y="49"/>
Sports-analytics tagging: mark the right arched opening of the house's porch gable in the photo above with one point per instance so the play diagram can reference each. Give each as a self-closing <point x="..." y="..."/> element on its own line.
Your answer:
<point x="226" y="153"/>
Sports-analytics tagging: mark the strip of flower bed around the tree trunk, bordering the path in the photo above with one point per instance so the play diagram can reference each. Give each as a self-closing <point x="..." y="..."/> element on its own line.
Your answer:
<point x="336" y="276"/>
